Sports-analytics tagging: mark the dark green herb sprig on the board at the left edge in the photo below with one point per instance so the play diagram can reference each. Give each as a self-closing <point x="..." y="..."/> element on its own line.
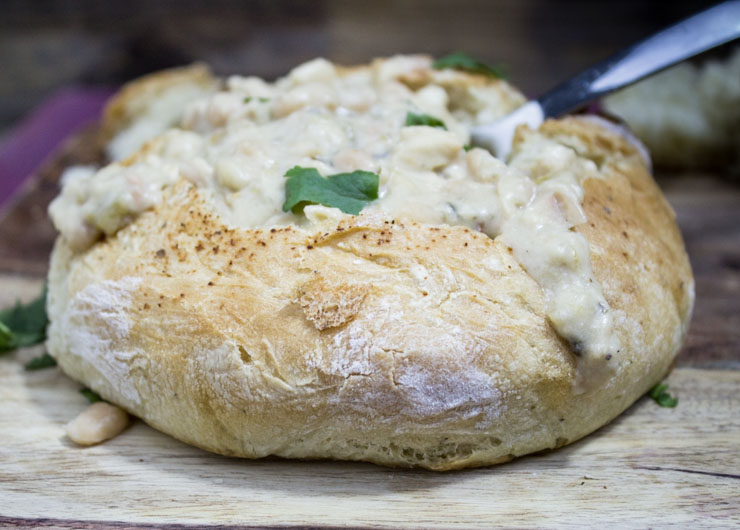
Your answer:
<point x="23" y="325"/>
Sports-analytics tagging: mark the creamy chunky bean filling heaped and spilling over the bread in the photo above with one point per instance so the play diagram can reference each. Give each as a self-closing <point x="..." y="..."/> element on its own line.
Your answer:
<point x="239" y="143"/>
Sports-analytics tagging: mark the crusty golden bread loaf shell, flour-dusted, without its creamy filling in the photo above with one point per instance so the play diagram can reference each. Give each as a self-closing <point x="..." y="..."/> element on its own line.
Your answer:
<point x="375" y="337"/>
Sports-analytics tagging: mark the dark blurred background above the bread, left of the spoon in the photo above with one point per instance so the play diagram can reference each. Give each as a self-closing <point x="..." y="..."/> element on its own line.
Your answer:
<point x="46" y="45"/>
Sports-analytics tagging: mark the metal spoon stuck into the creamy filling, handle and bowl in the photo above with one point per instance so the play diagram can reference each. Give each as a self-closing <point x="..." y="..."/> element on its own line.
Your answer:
<point x="698" y="33"/>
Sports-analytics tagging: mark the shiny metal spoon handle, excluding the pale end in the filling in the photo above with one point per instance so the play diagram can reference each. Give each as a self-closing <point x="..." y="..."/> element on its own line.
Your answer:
<point x="689" y="37"/>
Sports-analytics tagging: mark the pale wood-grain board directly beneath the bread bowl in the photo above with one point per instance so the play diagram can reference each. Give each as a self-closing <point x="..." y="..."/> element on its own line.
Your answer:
<point x="652" y="467"/>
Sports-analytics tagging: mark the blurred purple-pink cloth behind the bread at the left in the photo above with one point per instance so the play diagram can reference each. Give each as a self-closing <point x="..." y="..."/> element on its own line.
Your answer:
<point x="39" y="134"/>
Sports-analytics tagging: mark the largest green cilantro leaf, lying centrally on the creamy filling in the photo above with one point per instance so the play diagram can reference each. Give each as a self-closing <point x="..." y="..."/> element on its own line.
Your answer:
<point x="350" y="192"/>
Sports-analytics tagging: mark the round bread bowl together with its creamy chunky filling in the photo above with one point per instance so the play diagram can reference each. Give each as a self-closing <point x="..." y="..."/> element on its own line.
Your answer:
<point x="476" y="311"/>
